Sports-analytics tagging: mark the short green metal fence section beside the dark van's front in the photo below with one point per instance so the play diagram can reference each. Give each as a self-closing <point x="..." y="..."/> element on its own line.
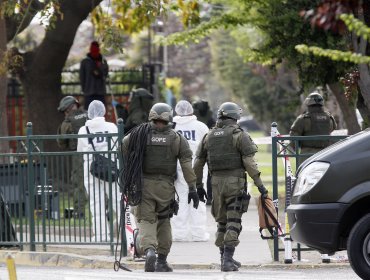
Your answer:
<point x="286" y="149"/>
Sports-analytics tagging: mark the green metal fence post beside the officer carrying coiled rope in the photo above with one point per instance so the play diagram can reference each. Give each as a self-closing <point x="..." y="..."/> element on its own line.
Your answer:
<point x="121" y="130"/>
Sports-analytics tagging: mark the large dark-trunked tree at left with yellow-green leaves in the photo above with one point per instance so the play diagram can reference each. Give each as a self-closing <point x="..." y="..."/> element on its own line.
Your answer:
<point x="41" y="76"/>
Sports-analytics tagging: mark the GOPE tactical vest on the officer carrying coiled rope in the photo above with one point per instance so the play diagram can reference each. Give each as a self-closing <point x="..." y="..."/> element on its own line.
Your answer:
<point x="159" y="157"/>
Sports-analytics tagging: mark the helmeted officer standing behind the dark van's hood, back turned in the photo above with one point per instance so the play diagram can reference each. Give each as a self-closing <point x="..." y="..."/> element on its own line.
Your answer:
<point x="316" y="121"/>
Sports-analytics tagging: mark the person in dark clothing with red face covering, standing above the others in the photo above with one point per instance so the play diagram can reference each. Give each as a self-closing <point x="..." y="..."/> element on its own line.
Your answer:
<point x="93" y="74"/>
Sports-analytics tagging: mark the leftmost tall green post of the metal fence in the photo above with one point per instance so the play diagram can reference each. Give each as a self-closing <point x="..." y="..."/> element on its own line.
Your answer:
<point x="30" y="185"/>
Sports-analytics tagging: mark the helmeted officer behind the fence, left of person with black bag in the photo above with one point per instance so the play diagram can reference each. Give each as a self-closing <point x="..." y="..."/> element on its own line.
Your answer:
<point x="74" y="119"/>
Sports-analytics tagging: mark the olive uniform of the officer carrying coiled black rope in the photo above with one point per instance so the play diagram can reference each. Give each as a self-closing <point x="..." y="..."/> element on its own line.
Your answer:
<point x="159" y="173"/>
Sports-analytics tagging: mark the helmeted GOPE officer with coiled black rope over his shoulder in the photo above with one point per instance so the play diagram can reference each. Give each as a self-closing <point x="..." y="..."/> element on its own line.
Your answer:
<point x="163" y="148"/>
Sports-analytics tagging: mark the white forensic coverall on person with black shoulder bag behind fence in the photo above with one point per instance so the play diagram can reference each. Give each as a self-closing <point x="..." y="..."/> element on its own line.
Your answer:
<point x="96" y="188"/>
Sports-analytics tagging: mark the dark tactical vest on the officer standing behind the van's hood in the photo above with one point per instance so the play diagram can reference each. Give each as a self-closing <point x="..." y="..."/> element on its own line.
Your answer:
<point x="317" y="123"/>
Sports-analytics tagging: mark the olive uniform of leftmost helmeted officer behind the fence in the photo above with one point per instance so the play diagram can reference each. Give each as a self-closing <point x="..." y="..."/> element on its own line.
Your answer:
<point x="71" y="124"/>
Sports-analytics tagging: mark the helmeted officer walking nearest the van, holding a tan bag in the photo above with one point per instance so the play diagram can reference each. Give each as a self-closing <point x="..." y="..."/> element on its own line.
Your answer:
<point x="229" y="152"/>
